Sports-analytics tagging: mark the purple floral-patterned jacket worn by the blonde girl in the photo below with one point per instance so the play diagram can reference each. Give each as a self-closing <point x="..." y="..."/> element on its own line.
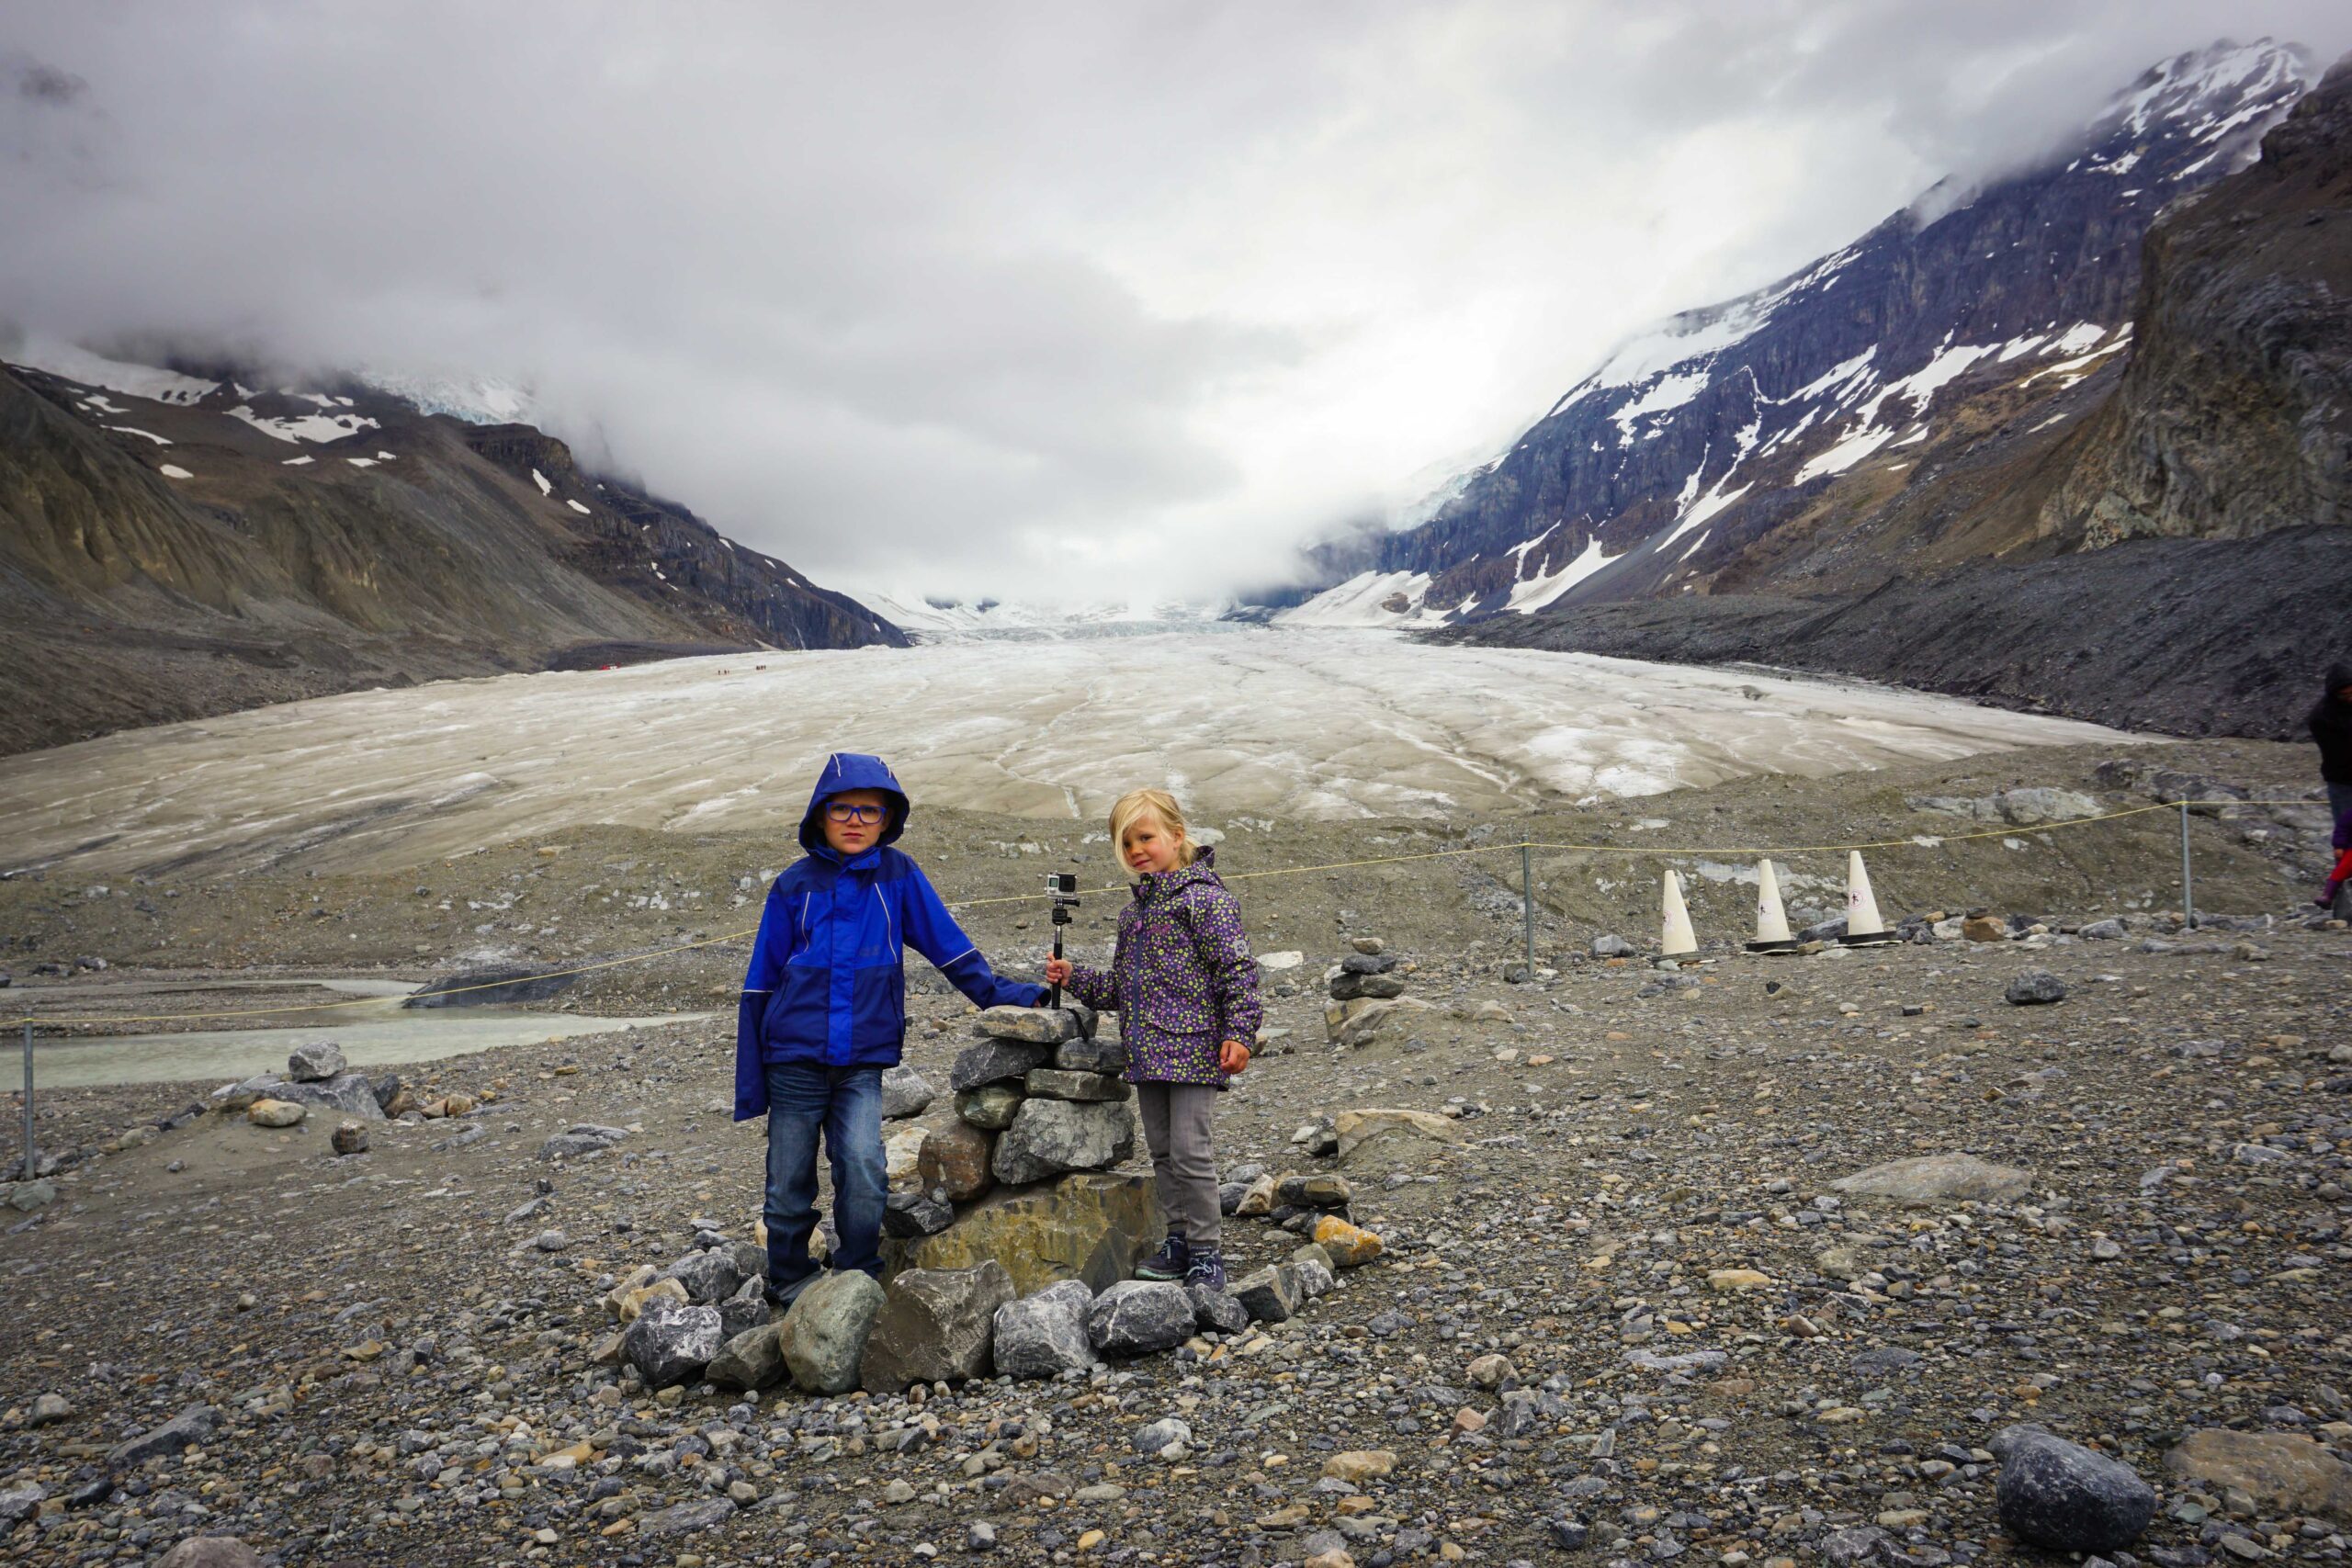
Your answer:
<point x="1182" y="977"/>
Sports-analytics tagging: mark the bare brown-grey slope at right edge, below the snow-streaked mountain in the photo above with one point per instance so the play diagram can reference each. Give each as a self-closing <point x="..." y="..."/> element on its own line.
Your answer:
<point x="2191" y="556"/>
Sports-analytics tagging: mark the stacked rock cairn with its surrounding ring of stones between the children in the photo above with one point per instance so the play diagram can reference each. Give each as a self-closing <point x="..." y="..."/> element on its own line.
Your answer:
<point x="1013" y="1245"/>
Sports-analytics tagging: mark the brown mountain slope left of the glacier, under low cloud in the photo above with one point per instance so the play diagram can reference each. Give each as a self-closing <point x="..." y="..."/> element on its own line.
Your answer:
<point x="175" y="547"/>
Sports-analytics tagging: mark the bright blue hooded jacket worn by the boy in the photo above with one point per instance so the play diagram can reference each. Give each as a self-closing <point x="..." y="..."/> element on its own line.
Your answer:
<point x="827" y="979"/>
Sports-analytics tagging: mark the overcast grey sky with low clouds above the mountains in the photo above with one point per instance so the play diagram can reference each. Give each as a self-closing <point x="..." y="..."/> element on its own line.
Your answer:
<point x="1069" y="302"/>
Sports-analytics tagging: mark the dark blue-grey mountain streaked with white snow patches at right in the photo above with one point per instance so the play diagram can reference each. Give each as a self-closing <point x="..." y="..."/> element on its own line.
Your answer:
<point x="1772" y="441"/>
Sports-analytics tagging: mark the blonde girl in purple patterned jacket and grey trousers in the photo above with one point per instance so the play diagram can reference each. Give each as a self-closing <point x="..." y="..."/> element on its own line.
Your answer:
<point x="1187" y="991"/>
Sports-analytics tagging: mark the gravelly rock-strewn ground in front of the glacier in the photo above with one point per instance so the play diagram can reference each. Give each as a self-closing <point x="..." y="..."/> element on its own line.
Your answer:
<point x="1645" y="1289"/>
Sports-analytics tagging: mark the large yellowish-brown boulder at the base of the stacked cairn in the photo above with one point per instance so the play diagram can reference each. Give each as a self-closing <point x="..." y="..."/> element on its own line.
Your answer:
<point x="1088" y="1228"/>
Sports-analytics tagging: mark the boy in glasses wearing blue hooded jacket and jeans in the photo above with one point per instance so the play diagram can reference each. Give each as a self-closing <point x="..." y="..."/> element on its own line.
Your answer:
<point x="824" y="1012"/>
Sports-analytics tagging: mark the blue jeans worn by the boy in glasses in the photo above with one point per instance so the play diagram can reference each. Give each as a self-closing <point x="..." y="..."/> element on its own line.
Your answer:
<point x="846" y="1106"/>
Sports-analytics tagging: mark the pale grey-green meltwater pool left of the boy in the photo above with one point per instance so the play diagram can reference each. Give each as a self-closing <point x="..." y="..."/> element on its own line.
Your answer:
<point x="241" y="1054"/>
